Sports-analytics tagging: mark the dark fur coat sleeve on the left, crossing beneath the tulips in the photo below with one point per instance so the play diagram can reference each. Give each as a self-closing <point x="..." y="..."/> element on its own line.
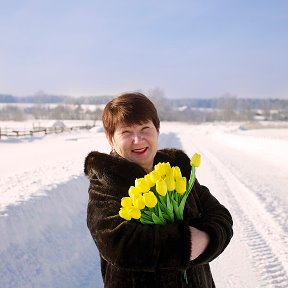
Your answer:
<point x="130" y="244"/>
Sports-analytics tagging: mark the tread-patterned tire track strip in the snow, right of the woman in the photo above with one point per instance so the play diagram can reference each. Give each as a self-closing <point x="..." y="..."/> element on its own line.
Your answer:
<point x="264" y="238"/>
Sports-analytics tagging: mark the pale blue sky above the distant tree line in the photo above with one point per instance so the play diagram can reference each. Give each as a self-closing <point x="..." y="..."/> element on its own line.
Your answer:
<point x="186" y="48"/>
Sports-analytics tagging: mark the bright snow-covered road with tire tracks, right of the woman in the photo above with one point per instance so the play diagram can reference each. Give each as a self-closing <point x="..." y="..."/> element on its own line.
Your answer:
<point x="242" y="171"/>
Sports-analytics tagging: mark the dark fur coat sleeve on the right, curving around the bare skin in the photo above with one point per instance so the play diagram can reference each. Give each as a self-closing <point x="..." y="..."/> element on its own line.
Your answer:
<point x="215" y="220"/>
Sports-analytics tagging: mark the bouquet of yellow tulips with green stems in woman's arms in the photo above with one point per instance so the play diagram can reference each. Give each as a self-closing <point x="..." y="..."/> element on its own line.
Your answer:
<point x="159" y="197"/>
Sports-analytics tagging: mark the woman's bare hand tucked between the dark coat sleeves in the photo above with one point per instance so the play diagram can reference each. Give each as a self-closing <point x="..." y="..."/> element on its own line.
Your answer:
<point x="199" y="242"/>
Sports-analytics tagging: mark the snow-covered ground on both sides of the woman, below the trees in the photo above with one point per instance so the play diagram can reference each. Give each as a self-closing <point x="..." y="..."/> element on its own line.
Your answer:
<point x="44" y="239"/>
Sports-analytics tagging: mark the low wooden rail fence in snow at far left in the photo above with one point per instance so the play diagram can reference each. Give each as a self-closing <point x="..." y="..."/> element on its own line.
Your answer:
<point x="35" y="131"/>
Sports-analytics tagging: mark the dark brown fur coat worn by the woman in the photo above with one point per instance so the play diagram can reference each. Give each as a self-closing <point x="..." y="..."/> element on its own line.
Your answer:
<point x="137" y="255"/>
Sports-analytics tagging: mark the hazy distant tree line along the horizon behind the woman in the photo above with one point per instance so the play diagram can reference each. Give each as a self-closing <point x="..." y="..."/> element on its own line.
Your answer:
<point x="226" y="108"/>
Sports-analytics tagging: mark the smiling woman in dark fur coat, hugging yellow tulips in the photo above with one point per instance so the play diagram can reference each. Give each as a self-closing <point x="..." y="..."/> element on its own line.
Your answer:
<point x="137" y="255"/>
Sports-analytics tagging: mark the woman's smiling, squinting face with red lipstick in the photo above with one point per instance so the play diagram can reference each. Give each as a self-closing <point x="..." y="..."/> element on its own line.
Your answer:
<point x="136" y="143"/>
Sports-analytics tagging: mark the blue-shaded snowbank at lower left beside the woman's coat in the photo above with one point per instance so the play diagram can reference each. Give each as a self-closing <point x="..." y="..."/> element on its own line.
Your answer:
<point x="46" y="242"/>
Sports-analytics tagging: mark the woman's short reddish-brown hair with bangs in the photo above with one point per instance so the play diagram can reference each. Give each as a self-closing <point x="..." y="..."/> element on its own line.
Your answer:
<point x="128" y="108"/>
